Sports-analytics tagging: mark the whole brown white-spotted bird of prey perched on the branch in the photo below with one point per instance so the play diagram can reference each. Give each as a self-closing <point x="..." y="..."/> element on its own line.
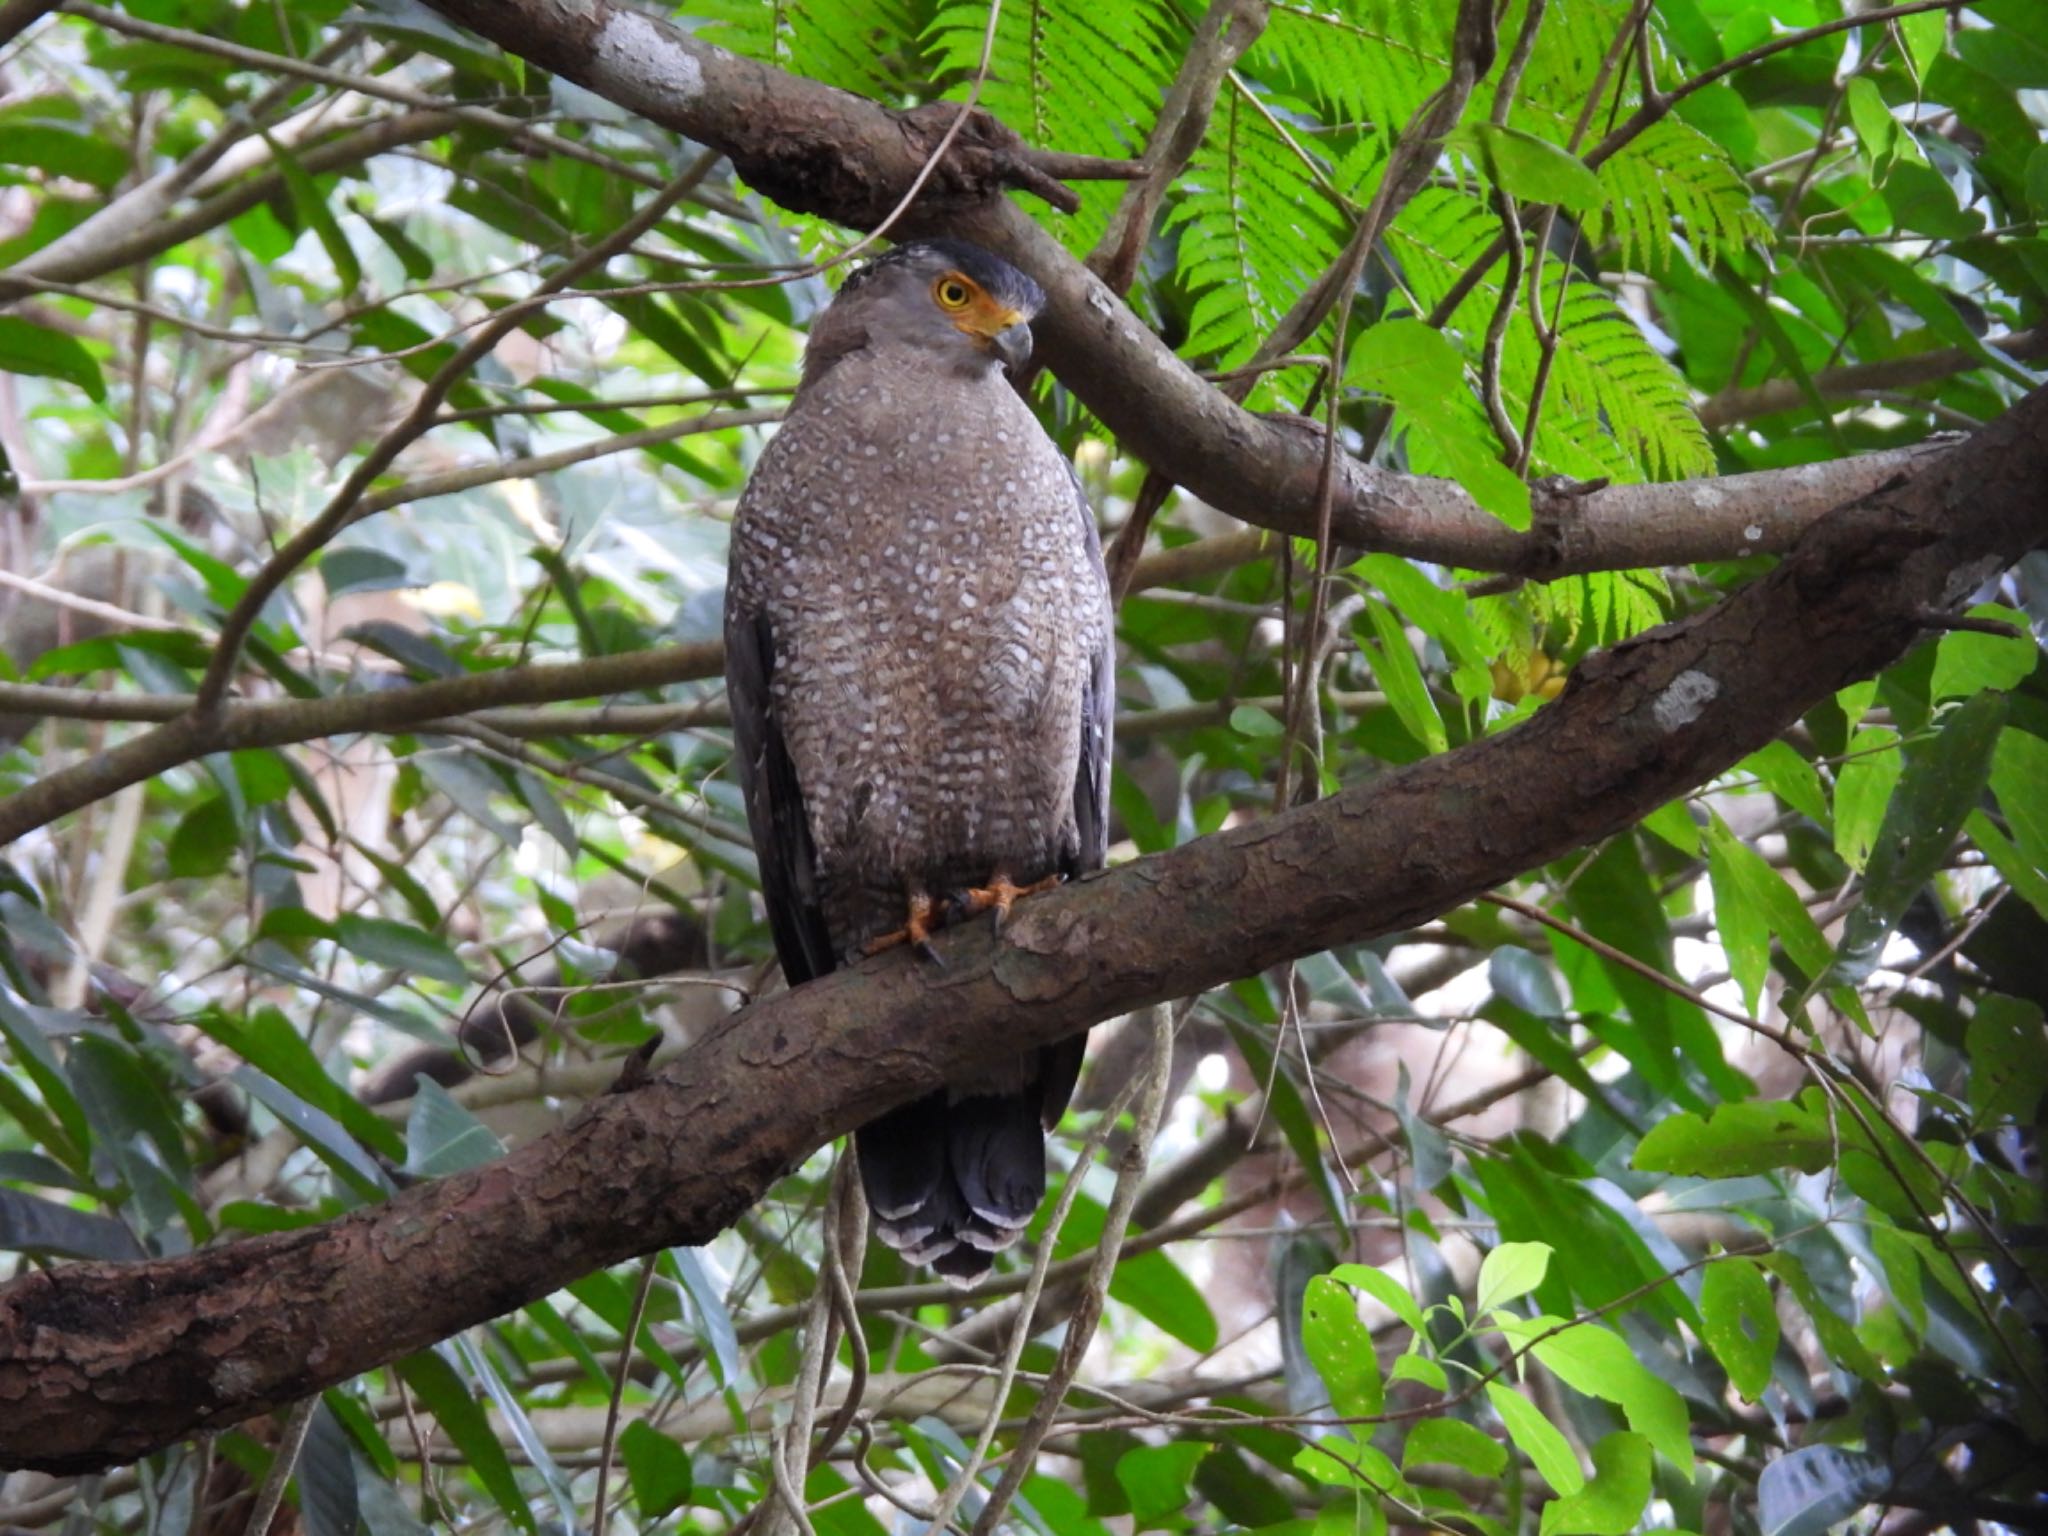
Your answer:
<point x="919" y="658"/>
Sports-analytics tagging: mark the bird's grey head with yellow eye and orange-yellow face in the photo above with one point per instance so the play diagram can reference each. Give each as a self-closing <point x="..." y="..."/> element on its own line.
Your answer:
<point x="959" y="302"/>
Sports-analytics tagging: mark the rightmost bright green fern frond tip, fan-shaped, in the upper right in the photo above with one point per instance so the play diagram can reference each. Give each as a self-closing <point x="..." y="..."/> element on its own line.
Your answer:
<point x="1674" y="175"/>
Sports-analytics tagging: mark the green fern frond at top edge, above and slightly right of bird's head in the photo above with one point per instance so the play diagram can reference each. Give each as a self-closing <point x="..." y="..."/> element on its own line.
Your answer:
<point x="1070" y="75"/>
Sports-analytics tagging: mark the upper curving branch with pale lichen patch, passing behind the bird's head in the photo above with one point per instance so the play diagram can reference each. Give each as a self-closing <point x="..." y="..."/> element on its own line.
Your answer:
<point x="849" y="159"/>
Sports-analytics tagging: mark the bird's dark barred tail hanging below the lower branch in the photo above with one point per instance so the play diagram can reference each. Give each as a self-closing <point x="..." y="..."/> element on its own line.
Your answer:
<point x="953" y="1185"/>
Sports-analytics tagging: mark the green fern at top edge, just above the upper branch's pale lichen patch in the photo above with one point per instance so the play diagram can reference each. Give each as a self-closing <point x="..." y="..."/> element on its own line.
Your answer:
<point x="853" y="44"/>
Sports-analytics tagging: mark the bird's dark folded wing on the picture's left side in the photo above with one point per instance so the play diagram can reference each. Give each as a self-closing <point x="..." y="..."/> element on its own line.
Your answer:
<point x="775" y="802"/>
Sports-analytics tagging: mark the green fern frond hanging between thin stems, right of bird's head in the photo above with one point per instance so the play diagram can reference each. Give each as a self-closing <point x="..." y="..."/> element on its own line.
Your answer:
<point x="1254" y="232"/>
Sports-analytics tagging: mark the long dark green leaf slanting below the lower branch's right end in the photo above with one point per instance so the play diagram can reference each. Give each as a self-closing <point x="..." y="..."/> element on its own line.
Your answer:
<point x="1938" y="790"/>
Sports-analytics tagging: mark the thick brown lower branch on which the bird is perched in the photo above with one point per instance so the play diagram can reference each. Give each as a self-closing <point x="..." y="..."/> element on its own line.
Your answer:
<point x="105" y="1363"/>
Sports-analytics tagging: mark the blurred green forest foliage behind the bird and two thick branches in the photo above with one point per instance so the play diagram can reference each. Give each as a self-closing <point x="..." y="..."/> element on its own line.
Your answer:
<point x="1691" y="1185"/>
